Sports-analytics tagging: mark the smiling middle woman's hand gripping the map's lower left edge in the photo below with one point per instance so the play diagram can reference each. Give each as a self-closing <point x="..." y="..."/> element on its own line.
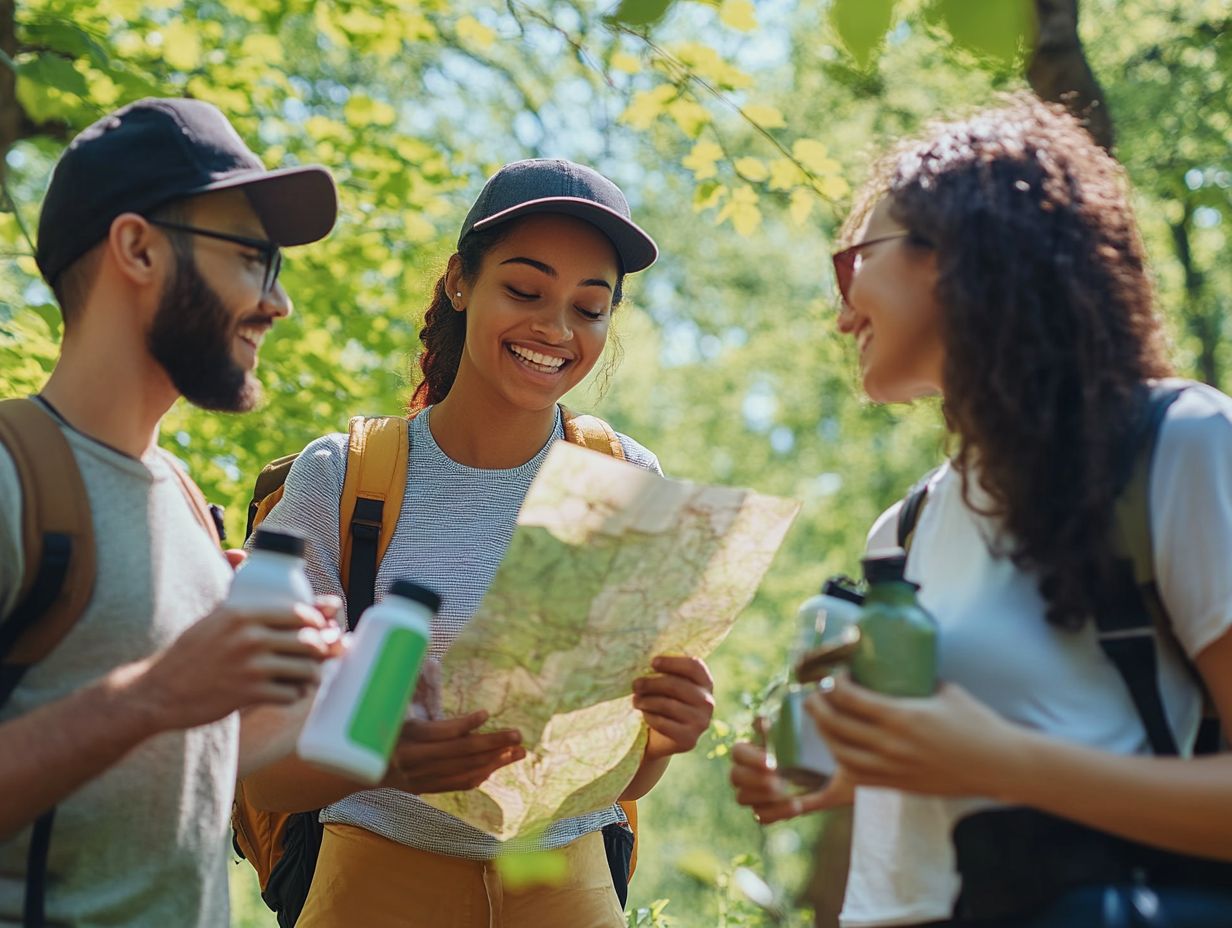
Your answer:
<point x="448" y="755"/>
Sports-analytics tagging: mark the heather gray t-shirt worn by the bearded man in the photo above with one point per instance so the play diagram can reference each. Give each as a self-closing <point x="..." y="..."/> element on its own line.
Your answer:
<point x="146" y="842"/>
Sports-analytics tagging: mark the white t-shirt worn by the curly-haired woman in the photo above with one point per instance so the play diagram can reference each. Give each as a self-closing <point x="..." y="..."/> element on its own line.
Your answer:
<point x="996" y="644"/>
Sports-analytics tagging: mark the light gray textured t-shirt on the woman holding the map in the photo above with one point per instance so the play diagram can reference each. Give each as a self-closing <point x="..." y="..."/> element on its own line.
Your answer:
<point x="454" y="529"/>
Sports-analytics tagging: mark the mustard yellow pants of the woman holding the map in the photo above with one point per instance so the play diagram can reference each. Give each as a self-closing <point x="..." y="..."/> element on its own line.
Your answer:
<point x="367" y="881"/>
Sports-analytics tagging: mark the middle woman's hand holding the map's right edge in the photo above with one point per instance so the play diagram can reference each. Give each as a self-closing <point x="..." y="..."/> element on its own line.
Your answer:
<point x="678" y="703"/>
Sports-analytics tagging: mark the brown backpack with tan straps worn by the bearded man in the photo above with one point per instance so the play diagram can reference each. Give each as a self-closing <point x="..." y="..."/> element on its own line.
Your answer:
<point x="59" y="552"/>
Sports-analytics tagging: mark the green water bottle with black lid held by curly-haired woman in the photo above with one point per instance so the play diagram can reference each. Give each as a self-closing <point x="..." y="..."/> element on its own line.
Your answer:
<point x="898" y="650"/>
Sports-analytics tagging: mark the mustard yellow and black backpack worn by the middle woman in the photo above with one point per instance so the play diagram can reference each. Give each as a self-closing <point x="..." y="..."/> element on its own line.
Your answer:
<point x="283" y="847"/>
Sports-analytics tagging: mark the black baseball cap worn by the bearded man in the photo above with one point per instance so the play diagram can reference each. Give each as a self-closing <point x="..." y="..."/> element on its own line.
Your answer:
<point x="157" y="151"/>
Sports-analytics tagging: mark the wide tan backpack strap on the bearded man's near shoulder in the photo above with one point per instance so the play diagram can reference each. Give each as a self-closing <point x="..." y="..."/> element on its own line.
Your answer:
<point x="57" y="533"/>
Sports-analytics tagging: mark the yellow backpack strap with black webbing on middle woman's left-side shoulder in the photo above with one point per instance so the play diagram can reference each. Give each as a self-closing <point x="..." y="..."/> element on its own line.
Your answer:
<point x="373" y="491"/>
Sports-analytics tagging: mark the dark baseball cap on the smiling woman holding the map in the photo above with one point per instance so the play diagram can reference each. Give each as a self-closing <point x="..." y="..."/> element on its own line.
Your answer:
<point x="545" y="185"/>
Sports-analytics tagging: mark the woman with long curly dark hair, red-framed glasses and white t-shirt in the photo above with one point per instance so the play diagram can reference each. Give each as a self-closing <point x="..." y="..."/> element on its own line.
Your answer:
<point x="997" y="263"/>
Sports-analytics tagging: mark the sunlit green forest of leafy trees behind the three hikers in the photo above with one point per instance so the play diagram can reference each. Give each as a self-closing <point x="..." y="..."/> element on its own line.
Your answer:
<point x="739" y="131"/>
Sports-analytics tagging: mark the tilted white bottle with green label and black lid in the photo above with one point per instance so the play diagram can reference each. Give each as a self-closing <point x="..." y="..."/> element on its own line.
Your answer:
<point x="359" y="709"/>
